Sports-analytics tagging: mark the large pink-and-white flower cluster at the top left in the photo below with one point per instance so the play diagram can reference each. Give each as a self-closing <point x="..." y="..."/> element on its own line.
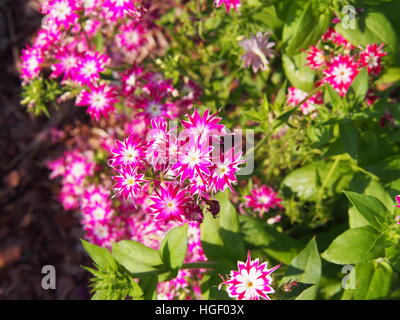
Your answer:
<point x="93" y="48"/>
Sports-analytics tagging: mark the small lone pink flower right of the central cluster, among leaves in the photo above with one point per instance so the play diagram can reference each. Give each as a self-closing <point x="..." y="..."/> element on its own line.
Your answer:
<point x="262" y="198"/>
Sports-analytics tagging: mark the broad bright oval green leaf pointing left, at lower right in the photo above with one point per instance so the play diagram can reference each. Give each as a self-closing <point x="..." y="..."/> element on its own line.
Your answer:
<point x="355" y="246"/>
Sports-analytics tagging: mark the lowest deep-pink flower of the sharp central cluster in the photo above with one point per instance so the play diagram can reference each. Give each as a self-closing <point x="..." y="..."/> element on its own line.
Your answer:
<point x="169" y="203"/>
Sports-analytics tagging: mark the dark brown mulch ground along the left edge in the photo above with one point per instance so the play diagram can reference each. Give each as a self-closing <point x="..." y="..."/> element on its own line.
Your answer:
<point x="34" y="229"/>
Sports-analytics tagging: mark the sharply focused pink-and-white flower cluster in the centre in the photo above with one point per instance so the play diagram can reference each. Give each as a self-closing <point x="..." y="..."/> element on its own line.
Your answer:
<point x="181" y="169"/>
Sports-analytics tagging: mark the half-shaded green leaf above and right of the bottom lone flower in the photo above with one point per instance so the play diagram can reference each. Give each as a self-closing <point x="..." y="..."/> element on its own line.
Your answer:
<point x="271" y="242"/>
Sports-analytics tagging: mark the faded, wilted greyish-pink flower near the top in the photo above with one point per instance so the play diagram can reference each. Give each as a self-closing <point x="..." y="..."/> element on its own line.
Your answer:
<point x="258" y="51"/>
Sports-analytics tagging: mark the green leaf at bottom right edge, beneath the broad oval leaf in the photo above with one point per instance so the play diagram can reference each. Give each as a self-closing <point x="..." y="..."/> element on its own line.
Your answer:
<point x="373" y="281"/>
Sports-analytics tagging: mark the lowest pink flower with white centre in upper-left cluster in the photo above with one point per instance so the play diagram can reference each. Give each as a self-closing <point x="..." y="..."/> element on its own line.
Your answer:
<point x="101" y="101"/>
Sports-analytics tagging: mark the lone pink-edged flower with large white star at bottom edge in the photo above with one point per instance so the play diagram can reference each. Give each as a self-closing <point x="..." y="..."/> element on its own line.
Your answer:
<point x="252" y="281"/>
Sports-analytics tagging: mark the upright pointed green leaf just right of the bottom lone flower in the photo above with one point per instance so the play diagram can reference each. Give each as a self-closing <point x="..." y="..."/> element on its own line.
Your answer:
<point x="306" y="268"/>
